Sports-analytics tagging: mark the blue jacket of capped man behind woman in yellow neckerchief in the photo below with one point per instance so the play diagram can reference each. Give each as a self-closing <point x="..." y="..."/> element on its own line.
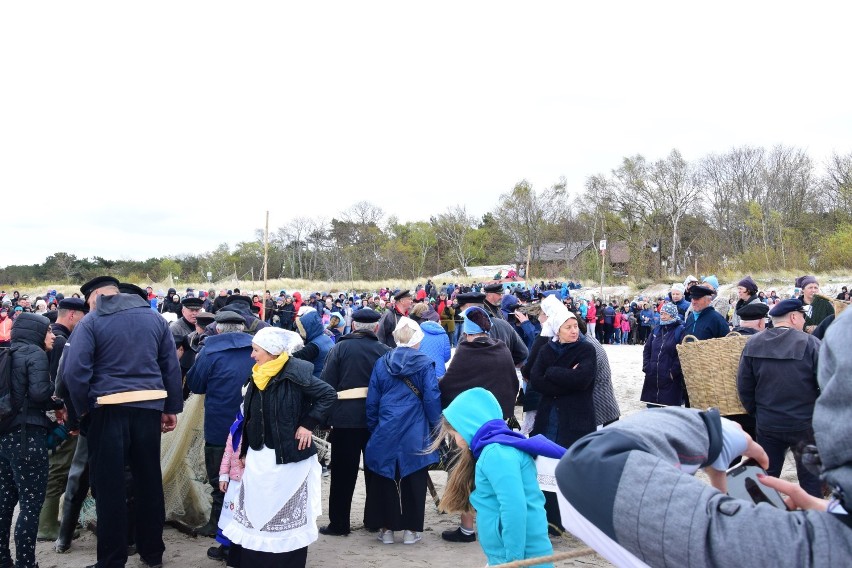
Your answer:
<point x="221" y="368"/>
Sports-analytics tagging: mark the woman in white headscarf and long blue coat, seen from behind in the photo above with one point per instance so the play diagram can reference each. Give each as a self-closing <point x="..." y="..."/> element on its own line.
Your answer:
<point x="403" y="409"/>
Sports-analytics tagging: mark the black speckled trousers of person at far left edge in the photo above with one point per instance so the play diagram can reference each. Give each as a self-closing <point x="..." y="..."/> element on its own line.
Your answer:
<point x="23" y="481"/>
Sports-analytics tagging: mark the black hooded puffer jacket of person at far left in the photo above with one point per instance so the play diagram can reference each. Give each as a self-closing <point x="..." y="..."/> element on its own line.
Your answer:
<point x="30" y="372"/>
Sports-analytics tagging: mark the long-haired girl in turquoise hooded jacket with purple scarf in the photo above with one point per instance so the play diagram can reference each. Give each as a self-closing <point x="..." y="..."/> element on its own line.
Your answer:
<point x="500" y="464"/>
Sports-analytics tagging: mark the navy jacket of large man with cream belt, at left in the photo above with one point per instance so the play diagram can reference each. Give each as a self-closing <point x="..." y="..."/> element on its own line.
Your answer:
<point x="122" y="346"/>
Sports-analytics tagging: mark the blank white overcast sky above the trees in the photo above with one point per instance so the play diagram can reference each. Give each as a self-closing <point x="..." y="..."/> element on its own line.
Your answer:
<point x="133" y="130"/>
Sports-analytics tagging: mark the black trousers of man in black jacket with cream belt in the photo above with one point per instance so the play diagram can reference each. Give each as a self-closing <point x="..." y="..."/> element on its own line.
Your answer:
<point x="348" y="445"/>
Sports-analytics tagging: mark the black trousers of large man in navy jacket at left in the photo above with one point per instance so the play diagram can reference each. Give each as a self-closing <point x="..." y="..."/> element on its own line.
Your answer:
<point x="119" y="435"/>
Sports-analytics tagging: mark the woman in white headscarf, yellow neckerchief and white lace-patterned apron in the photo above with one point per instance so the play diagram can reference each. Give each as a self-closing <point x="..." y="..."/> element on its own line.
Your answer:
<point x="275" y="512"/>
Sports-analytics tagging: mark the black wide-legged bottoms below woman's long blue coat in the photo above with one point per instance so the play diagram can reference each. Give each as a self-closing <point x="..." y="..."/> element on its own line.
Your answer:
<point x="397" y="504"/>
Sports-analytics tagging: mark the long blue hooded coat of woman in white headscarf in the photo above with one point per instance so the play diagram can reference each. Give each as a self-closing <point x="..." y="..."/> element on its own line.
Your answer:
<point x="401" y="422"/>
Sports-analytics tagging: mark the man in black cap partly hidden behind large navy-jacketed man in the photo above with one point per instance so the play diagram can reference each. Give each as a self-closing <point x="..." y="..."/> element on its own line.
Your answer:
<point x="69" y="314"/>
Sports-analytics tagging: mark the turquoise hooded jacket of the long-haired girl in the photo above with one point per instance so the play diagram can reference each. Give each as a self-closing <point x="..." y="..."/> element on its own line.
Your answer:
<point x="508" y="501"/>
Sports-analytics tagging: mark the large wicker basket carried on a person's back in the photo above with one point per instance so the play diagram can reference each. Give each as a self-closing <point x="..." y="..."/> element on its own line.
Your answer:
<point x="710" y="371"/>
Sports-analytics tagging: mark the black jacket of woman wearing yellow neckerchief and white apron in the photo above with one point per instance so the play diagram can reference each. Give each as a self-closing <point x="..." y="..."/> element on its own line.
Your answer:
<point x="293" y="398"/>
